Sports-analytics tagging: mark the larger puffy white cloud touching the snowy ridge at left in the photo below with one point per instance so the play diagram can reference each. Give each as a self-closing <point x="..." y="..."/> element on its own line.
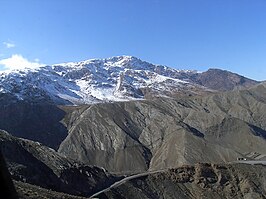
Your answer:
<point x="17" y="61"/>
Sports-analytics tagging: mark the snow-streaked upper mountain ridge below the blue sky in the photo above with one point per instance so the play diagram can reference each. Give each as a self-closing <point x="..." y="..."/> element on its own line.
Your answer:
<point x="119" y="78"/>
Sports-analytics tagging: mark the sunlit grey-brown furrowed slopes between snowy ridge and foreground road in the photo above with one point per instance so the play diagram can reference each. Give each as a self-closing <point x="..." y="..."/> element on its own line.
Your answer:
<point x="161" y="133"/>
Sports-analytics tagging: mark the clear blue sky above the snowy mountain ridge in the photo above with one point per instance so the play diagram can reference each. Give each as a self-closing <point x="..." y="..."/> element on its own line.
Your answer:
<point x="185" y="34"/>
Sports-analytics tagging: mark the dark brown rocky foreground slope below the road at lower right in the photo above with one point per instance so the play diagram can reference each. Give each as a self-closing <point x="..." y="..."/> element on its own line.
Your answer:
<point x="199" y="181"/>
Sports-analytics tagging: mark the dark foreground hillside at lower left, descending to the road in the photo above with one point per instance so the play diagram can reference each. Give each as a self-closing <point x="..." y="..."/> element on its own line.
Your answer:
<point x="34" y="163"/>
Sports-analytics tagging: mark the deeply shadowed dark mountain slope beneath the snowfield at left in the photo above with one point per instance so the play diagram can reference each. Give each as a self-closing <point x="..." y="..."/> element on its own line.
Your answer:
<point x="38" y="122"/>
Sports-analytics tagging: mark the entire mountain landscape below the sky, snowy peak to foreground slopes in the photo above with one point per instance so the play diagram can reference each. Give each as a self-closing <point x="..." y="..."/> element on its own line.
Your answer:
<point x="81" y="128"/>
